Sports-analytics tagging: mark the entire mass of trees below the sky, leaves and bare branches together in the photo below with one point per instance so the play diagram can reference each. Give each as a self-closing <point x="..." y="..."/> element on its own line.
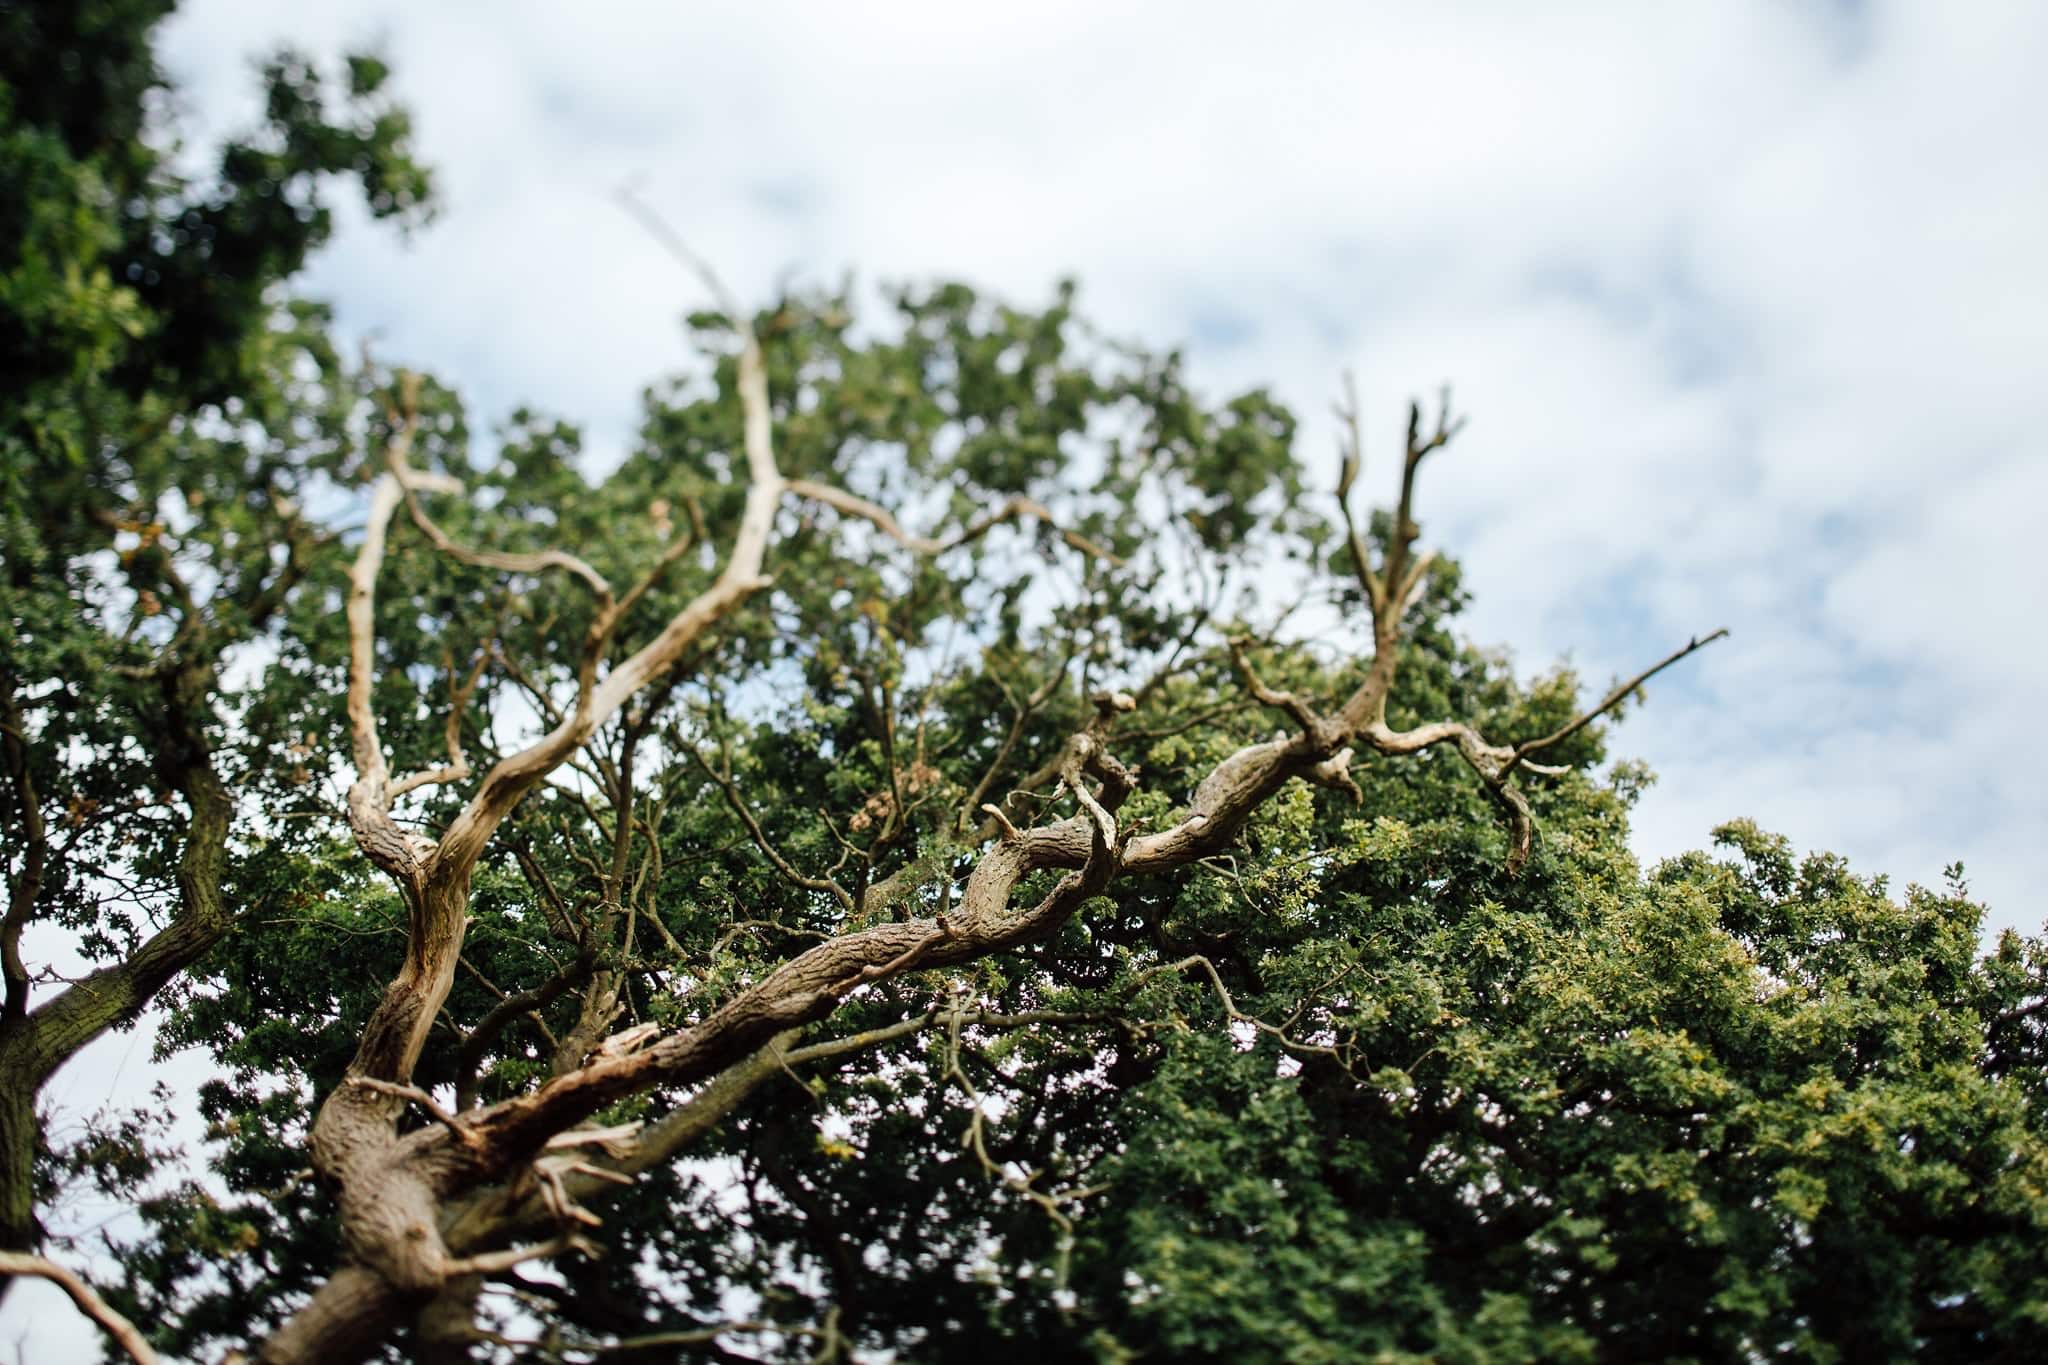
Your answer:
<point x="955" y="846"/>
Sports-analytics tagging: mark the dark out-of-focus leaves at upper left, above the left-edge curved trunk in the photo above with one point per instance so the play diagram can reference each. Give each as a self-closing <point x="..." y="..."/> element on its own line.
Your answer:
<point x="169" y="414"/>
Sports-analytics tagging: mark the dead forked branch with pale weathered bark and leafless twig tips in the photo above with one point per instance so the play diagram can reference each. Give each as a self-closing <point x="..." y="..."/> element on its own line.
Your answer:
<point x="355" y="1139"/>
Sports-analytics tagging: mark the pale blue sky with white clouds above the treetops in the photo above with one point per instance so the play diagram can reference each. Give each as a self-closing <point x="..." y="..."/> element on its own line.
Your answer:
<point x="1748" y="306"/>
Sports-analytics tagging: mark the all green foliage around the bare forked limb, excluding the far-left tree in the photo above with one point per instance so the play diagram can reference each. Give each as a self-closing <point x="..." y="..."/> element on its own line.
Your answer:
<point x="1441" y="1112"/>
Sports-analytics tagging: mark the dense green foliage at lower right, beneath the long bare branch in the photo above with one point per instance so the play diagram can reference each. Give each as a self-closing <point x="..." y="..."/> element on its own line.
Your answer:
<point x="1736" y="1110"/>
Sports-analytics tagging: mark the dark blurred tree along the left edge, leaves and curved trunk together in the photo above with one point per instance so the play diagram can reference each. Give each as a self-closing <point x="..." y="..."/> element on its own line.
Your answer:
<point x="171" y="421"/>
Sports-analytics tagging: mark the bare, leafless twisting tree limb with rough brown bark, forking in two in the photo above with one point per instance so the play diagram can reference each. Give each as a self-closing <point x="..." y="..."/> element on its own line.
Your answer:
<point x="431" y="1210"/>
